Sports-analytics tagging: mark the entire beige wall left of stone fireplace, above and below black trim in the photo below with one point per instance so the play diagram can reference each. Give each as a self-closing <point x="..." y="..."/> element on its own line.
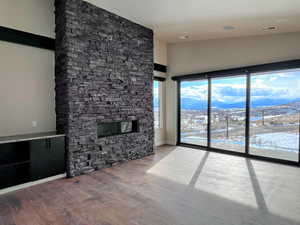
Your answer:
<point x="27" y="74"/>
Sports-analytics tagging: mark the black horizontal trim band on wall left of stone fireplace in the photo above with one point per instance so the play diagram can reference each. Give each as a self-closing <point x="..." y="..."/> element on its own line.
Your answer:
<point x="25" y="38"/>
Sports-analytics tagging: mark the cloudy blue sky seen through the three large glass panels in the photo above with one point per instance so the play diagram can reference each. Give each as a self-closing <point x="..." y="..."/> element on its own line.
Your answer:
<point x="279" y="85"/>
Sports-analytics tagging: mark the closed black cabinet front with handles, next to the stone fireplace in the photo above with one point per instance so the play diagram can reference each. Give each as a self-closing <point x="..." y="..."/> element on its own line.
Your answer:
<point x="47" y="158"/>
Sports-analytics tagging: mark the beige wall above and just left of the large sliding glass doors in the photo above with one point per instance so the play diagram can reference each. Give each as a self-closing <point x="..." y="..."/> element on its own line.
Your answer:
<point x="210" y="55"/>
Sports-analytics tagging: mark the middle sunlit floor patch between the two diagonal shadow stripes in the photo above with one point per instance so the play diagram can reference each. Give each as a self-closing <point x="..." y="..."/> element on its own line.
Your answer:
<point x="228" y="177"/>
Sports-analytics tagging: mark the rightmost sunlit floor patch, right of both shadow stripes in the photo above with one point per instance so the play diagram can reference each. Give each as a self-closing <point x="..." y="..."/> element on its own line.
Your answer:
<point x="280" y="188"/>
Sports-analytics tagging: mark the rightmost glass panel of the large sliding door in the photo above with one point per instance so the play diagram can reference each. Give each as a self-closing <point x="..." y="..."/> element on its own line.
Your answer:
<point x="274" y="115"/>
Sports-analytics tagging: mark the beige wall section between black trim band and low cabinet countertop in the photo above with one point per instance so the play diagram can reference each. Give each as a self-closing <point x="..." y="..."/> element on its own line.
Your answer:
<point x="26" y="89"/>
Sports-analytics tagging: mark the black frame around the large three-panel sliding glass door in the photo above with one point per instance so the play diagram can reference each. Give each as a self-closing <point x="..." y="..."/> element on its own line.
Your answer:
<point x="246" y="71"/>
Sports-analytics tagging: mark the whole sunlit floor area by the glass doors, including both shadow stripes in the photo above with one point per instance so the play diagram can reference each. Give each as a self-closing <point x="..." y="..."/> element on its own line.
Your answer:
<point x="268" y="187"/>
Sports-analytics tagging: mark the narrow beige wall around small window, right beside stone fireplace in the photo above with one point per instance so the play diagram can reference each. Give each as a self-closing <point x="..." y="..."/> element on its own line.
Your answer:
<point x="160" y="57"/>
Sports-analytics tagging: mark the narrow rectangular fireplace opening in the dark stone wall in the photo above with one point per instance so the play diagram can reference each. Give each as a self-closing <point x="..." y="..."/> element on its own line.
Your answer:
<point x="117" y="128"/>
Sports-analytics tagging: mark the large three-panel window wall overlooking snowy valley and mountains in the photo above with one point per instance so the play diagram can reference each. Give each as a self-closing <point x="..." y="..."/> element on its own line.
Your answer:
<point x="252" y="113"/>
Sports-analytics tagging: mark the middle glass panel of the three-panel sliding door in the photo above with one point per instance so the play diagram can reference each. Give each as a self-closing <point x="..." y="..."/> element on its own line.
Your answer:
<point x="228" y="108"/>
